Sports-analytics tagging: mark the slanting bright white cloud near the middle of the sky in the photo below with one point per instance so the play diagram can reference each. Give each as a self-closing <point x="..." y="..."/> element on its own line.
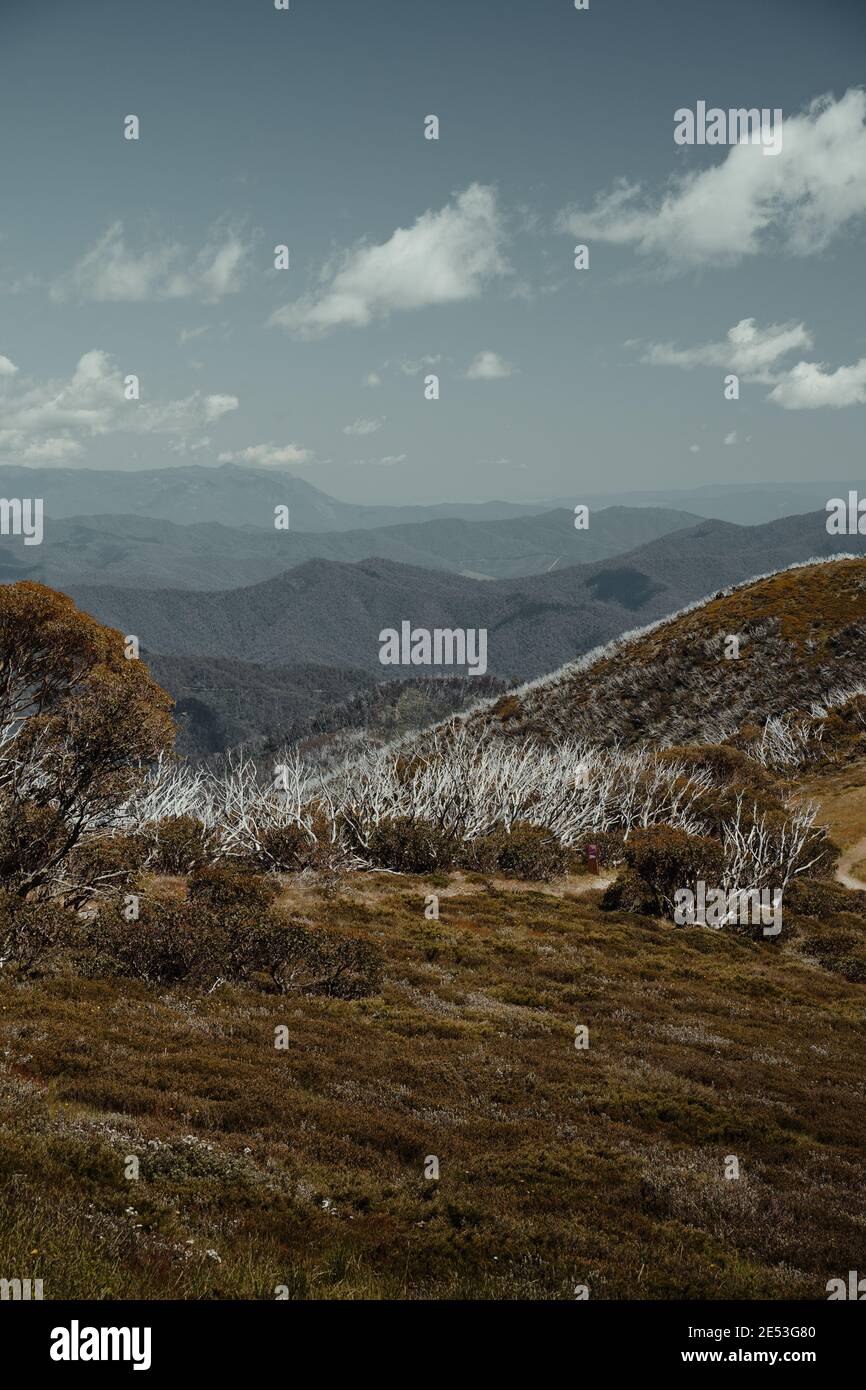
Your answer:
<point x="444" y="258"/>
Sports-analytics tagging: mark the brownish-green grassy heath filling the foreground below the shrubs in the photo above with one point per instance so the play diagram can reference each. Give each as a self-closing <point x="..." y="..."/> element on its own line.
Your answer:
<point x="305" y="1168"/>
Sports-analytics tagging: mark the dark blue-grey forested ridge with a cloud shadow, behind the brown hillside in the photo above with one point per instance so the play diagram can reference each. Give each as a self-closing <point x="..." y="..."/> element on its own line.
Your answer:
<point x="332" y="614"/>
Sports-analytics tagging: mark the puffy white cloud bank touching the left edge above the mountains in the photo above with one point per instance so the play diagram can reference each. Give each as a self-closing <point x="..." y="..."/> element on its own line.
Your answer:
<point x="48" y="420"/>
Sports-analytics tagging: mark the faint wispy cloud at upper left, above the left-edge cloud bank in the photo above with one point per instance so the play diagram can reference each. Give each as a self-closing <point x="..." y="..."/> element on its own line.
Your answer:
<point x="112" y="272"/>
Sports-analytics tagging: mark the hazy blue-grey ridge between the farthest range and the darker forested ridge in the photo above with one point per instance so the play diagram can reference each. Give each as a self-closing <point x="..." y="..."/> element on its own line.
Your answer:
<point x="134" y="553"/>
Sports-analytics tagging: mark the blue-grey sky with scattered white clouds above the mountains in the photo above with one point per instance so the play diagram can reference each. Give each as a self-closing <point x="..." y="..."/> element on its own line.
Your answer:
<point x="451" y="258"/>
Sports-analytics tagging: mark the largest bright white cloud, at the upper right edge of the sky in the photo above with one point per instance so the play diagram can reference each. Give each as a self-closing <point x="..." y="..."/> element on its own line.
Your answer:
<point x="799" y="201"/>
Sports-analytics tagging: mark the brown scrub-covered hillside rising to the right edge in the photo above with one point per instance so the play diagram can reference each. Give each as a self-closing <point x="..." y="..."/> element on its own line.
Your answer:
<point x="801" y="632"/>
